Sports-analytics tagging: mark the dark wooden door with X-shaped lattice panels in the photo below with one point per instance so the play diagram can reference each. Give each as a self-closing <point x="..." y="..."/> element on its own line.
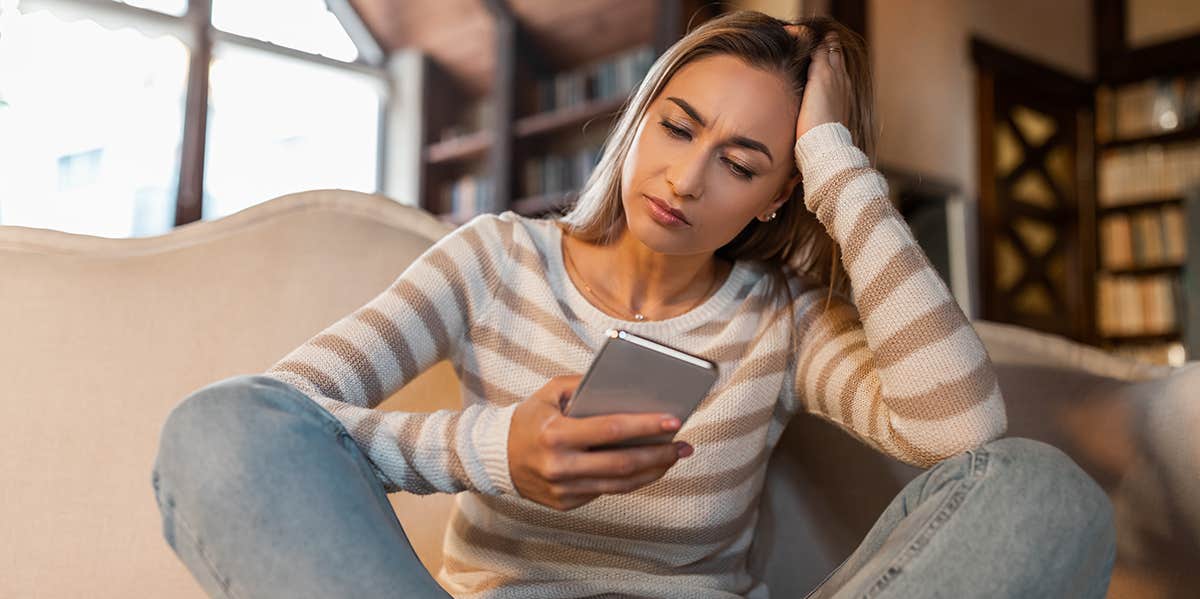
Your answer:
<point x="1037" y="226"/>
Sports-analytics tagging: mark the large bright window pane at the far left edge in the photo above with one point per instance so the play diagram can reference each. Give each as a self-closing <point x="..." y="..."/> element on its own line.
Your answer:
<point x="94" y="149"/>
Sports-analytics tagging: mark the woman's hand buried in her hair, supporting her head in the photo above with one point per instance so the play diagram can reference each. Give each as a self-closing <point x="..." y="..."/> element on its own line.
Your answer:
<point x="827" y="94"/>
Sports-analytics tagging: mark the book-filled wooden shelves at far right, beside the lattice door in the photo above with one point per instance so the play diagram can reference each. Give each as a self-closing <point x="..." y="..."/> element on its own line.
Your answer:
<point x="1148" y="167"/>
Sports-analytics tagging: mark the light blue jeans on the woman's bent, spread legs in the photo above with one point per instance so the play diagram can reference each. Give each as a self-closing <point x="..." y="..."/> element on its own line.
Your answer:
<point x="265" y="494"/>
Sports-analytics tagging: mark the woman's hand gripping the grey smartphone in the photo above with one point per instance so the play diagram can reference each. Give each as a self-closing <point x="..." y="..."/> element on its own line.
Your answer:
<point x="549" y="458"/>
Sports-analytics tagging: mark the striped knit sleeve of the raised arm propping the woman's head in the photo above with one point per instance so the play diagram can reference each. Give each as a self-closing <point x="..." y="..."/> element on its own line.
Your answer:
<point x="901" y="369"/>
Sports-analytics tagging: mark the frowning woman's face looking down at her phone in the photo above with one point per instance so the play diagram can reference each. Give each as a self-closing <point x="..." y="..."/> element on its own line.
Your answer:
<point x="716" y="146"/>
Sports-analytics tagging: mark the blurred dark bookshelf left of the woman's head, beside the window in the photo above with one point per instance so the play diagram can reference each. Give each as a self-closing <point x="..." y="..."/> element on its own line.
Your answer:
<point x="530" y="141"/>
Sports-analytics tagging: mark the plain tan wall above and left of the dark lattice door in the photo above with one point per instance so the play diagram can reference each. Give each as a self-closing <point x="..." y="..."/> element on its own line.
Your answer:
<point x="926" y="80"/>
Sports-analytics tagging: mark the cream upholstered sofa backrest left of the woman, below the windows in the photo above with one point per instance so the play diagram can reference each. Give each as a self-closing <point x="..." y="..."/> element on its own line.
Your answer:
<point x="101" y="338"/>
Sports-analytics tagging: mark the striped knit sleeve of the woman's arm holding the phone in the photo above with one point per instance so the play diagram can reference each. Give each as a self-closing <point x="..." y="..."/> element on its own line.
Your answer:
<point x="369" y="355"/>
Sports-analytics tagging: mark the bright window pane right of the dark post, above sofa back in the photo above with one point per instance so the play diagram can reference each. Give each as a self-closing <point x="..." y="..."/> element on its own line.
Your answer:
<point x="280" y="125"/>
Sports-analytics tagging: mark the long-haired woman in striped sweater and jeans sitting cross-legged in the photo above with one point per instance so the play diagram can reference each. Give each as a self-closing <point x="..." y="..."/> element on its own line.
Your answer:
<point x="709" y="226"/>
